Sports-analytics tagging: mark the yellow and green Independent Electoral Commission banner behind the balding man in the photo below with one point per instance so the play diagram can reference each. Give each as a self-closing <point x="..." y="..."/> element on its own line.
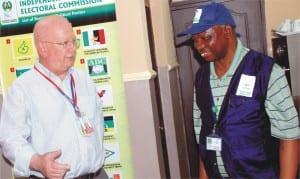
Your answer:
<point x="94" y="23"/>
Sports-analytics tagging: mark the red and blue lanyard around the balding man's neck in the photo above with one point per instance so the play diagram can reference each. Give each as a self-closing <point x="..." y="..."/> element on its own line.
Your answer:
<point x="72" y="100"/>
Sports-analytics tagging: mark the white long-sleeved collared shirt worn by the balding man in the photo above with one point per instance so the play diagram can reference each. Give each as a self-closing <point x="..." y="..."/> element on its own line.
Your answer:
<point x="37" y="118"/>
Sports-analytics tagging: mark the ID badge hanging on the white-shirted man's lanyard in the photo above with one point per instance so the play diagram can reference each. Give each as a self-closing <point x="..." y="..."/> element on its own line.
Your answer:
<point x="84" y="125"/>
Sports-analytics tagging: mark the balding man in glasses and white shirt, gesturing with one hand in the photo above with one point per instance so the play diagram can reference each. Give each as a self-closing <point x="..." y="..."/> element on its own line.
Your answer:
<point x="52" y="121"/>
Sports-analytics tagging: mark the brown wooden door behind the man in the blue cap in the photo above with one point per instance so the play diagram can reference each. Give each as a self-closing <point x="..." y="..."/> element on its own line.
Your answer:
<point x="250" y="20"/>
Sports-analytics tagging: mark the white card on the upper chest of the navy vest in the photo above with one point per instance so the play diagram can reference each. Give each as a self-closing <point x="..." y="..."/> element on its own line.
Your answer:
<point x="246" y="86"/>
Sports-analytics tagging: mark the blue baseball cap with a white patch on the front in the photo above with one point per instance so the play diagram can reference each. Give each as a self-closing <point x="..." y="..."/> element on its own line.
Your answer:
<point x="207" y="16"/>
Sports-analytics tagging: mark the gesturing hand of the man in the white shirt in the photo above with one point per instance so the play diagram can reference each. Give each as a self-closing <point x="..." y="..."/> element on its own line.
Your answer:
<point x="47" y="165"/>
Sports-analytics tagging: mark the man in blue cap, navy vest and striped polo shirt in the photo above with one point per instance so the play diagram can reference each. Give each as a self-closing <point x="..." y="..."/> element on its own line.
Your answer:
<point x="250" y="126"/>
